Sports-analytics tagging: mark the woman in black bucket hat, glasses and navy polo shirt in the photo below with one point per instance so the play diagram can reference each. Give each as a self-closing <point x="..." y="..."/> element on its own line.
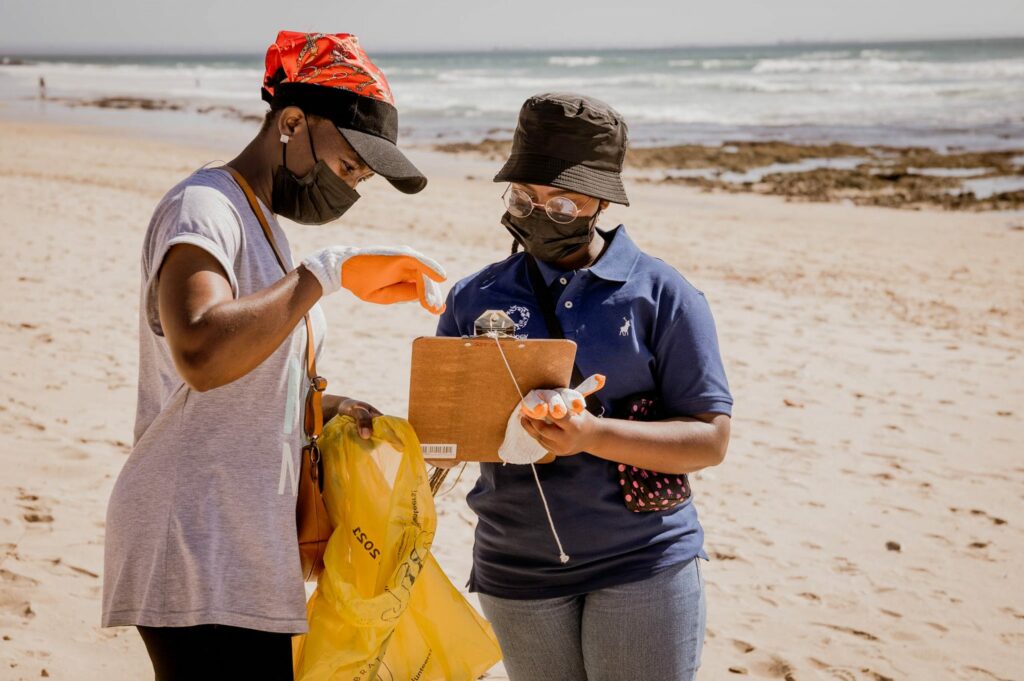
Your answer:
<point x="629" y="603"/>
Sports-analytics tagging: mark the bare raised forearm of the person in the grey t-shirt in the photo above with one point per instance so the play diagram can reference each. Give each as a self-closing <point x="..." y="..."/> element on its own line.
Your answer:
<point x="232" y="338"/>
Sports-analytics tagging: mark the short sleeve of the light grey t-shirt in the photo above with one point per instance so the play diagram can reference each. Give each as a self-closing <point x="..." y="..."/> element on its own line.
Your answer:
<point x="201" y="217"/>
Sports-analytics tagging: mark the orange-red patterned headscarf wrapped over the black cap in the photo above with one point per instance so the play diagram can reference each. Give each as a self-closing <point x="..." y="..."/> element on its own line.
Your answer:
<point x="335" y="61"/>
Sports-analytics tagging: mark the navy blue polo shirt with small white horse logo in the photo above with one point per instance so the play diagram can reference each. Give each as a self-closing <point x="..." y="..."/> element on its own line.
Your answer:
<point x="638" y="322"/>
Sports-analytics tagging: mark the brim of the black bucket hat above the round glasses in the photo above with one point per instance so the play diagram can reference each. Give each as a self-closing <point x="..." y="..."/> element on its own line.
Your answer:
<point x="539" y="169"/>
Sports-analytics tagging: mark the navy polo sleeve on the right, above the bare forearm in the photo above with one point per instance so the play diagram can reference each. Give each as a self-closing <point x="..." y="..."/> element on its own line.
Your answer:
<point x="691" y="376"/>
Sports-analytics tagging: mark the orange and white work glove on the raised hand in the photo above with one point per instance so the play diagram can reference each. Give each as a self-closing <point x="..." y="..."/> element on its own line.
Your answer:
<point x="383" y="275"/>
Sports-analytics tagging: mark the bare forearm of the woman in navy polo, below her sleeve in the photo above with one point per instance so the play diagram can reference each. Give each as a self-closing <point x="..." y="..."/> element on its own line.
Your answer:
<point x="668" y="447"/>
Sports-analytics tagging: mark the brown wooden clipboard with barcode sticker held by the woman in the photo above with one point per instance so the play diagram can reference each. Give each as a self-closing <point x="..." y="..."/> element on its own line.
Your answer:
<point x="461" y="395"/>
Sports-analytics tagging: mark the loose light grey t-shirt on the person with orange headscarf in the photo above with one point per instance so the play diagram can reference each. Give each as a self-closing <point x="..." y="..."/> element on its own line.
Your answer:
<point x="201" y="523"/>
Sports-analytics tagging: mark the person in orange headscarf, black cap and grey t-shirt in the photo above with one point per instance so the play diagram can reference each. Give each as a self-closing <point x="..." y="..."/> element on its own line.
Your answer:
<point x="201" y="551"/>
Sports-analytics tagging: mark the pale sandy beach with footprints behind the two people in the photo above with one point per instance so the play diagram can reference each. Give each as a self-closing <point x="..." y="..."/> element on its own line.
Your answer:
<point x="868" y="523"/>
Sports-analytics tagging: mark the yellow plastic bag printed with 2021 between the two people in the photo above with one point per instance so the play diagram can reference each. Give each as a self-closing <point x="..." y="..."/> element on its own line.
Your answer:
<point x="383" y="610"/>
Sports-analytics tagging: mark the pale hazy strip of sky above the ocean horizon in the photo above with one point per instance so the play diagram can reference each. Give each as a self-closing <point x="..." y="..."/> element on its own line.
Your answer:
<point x="226" y="26"/>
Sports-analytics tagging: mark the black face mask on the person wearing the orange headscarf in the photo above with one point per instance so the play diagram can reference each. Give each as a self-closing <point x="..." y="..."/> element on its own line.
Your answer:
<point x="318" y="197"/>
